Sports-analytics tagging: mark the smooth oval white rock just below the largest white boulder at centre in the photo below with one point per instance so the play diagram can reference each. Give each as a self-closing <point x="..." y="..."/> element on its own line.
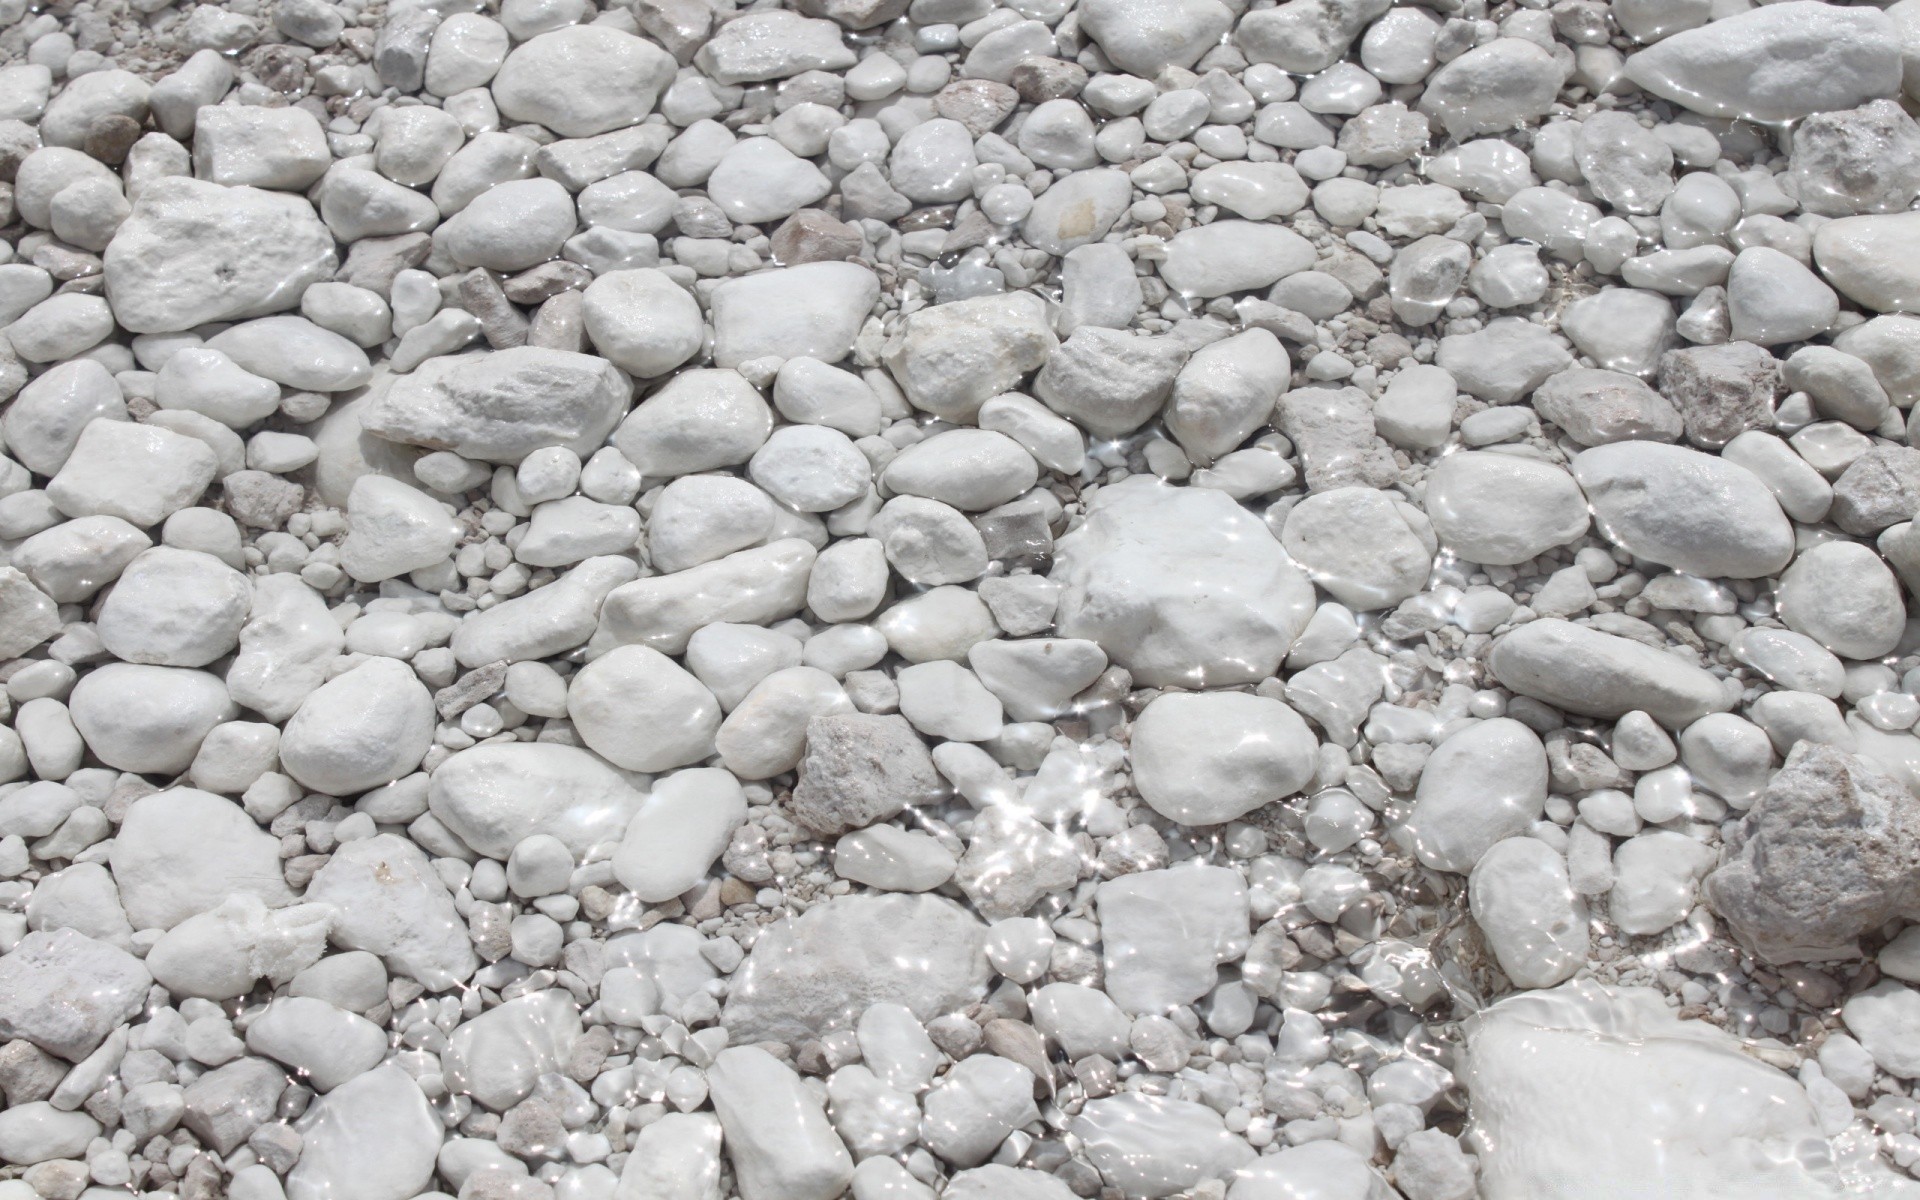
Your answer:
<point x="1211" y="757"/>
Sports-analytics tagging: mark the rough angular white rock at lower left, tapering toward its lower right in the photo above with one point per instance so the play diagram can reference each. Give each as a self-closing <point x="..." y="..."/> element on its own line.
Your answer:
<point x="391" y="903"/>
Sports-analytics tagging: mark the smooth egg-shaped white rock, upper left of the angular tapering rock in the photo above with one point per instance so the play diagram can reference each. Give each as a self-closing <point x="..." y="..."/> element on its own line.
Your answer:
<point x="360" y="731"/>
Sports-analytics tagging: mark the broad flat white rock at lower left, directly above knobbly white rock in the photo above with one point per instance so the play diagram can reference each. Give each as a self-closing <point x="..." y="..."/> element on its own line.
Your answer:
<point x="183" y="852"/>
